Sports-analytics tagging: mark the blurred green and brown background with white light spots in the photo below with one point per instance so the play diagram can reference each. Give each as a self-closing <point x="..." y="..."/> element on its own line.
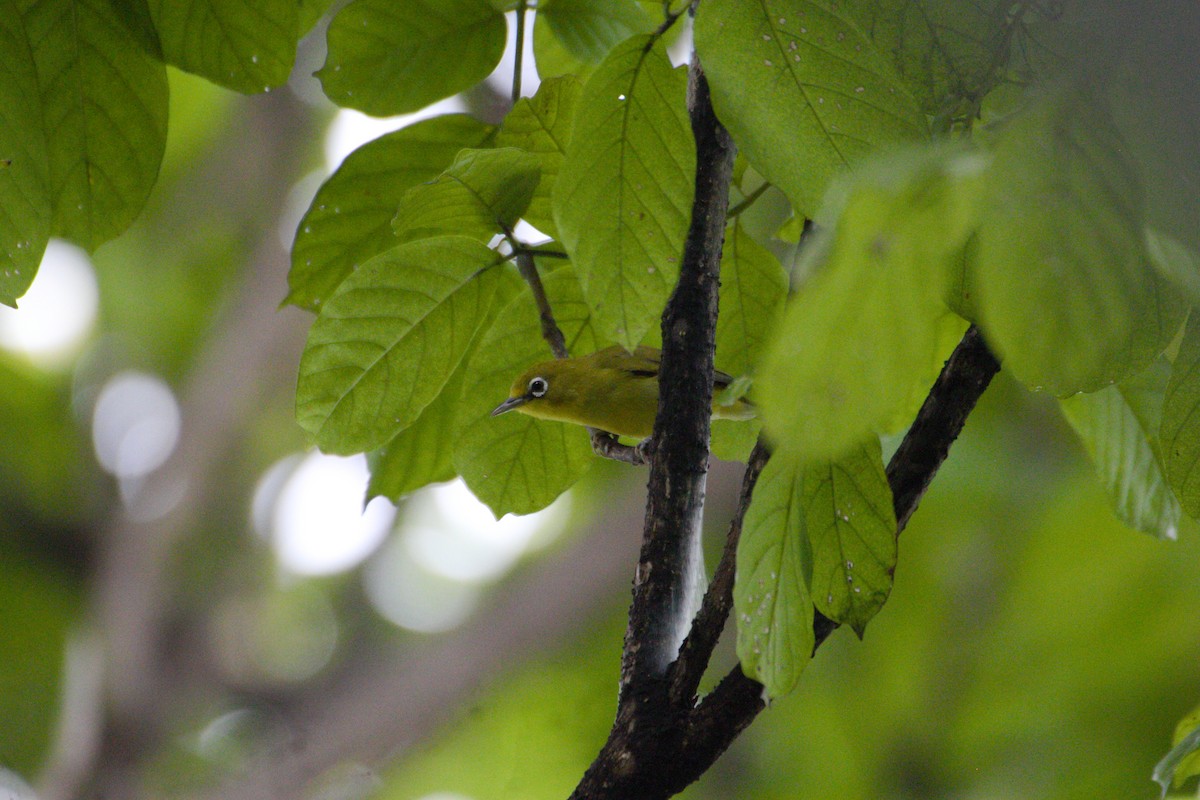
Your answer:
<point x="194" y="604"/>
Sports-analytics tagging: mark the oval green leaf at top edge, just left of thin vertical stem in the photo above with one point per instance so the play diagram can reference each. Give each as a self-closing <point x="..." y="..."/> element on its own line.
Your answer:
<point x="394" y="58"/>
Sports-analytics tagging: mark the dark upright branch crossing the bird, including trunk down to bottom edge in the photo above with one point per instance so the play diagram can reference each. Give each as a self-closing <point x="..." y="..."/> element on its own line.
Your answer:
<point x="649" y="729"/>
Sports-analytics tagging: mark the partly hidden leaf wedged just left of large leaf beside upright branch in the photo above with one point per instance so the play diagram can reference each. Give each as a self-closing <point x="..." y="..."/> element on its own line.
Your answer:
<point x="542" y="125"/>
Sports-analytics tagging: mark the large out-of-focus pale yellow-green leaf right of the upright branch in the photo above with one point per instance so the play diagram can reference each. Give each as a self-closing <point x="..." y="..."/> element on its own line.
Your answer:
<point x="856" y="345"/>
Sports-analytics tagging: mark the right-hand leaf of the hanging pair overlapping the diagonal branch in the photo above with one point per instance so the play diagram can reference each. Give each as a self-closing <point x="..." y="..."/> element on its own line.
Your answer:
<point x="853" y="532"/>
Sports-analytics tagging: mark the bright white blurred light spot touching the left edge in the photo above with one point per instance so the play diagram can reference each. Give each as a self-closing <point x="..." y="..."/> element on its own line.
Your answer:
<point x="57" y="315"/>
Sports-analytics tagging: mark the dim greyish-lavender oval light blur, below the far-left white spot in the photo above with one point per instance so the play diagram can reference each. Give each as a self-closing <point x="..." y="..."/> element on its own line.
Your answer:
<point x="135" y="425"/>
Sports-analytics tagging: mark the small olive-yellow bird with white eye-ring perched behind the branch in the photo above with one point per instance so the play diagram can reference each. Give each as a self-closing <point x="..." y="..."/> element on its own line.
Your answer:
<point x="613" y="389"/>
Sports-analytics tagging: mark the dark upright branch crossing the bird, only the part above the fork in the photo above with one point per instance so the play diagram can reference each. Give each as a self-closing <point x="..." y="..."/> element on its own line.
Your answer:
<point x="670" y="564"/>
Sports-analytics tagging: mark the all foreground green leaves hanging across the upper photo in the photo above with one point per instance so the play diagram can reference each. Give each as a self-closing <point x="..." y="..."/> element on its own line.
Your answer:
<point x="950" y="164"/>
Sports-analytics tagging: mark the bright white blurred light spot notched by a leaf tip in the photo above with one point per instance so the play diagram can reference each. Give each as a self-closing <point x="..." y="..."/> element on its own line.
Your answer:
<point x="320" y="526"/>
